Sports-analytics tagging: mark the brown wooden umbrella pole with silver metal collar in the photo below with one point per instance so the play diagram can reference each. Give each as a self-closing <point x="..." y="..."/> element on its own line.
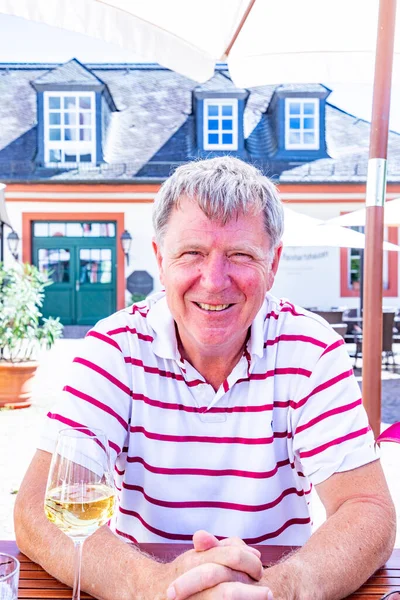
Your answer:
<point x="375" y="199"/>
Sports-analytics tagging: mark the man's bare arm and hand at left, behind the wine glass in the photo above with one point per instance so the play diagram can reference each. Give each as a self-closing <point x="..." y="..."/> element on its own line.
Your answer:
<point x="111" y="568"/>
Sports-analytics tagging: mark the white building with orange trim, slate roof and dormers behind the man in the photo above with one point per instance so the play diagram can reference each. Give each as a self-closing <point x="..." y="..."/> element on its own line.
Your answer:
<point x="84" y="149"/>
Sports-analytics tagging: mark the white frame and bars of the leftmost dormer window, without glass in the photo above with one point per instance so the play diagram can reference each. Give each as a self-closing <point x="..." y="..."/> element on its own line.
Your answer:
<point x="71" y="146"/>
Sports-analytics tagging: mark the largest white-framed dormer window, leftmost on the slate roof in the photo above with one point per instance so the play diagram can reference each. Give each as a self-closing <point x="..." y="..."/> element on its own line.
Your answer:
<point x="69" y="128"/>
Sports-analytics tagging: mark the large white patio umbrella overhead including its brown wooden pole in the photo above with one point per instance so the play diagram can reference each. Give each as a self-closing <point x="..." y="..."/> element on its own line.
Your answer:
<point x="265" y="42"/>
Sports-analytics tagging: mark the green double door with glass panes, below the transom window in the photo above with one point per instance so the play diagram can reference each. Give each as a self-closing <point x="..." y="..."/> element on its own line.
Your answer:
<point x="83" y="271"/>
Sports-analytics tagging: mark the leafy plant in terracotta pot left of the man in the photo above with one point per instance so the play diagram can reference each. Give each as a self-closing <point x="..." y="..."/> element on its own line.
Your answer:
<point x="22" y="331"/>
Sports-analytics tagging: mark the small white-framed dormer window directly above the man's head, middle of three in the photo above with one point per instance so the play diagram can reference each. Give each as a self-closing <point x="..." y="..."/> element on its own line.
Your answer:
<point x="220" y="124"/>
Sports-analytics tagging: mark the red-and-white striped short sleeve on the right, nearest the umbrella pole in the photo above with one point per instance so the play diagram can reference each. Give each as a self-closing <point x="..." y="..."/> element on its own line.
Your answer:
<point x="328" y="422"/>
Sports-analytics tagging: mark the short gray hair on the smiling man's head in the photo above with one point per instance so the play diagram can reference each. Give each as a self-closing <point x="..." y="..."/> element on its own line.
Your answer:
<point x="223" y="187"/>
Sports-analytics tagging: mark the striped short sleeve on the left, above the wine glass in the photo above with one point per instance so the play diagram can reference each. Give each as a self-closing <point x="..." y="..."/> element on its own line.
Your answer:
<point x="97" y="393"/>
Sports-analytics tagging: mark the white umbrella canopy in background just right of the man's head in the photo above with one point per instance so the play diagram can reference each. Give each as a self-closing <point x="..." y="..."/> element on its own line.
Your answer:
<point x="302" y="230"/>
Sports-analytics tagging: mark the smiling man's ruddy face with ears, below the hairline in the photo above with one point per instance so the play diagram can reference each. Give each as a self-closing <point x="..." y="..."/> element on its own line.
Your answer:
<point x="215" y="277"/>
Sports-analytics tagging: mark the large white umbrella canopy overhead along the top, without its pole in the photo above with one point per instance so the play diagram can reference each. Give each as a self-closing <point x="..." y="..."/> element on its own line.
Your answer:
<point x="263" y="41"/>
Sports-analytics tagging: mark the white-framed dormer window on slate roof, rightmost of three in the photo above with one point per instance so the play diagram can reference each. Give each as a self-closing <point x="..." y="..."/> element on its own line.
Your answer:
<point x="301" y="123"/>
